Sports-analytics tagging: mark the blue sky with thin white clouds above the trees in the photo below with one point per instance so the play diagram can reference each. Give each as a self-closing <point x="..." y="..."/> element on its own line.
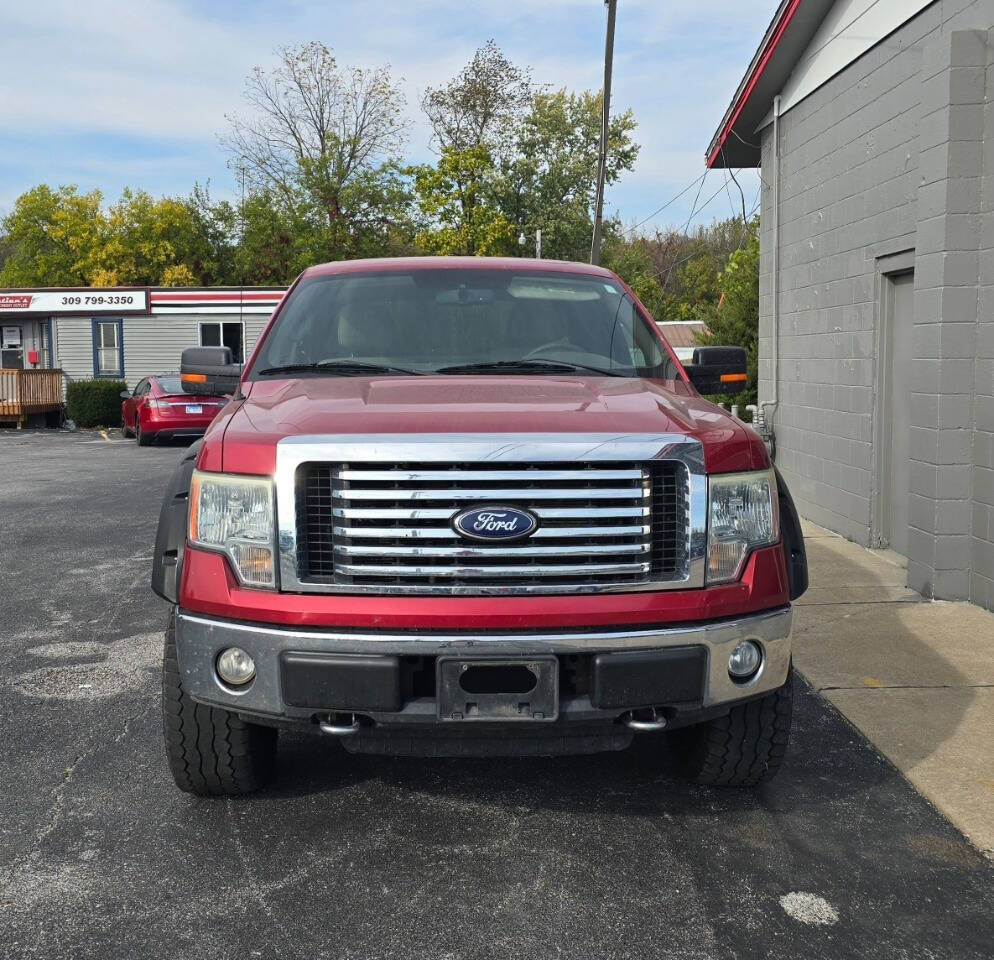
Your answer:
<point x="109" y="93"/>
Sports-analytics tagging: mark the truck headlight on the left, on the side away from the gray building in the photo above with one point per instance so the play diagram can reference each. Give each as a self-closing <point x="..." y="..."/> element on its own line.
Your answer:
<point x="234" y="515"/>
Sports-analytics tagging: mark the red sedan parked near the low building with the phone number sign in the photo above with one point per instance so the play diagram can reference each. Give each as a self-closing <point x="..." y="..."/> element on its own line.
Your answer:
<point x="158" y="407"/>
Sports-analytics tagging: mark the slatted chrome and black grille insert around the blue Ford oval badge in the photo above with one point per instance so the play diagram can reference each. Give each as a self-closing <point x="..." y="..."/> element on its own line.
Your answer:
<point x="389" y="525"/>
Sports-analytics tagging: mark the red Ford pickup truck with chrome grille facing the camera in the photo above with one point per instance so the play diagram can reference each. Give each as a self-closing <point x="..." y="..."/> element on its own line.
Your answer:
<point x="464" y="507"/>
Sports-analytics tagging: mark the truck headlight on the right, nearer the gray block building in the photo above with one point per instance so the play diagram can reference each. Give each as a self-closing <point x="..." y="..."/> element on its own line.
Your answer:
<point x="742" y="515"/>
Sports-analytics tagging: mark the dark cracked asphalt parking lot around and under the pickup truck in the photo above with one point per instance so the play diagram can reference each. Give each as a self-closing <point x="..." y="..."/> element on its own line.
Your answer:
<point x="363" y="857"/>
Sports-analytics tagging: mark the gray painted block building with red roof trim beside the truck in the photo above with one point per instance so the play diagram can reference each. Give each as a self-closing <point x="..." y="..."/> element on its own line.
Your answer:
<point x="872" y="125"/>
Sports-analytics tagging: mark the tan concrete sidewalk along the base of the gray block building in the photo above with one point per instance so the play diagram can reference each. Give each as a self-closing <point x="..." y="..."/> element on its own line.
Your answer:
<point x="917" y="678"/>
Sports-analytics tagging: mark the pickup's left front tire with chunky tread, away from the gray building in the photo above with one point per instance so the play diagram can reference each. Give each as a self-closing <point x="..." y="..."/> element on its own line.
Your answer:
<point x="211" y="752"/>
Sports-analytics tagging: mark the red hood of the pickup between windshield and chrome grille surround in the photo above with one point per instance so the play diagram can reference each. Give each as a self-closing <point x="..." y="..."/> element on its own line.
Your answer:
<point x="274" y="409"/>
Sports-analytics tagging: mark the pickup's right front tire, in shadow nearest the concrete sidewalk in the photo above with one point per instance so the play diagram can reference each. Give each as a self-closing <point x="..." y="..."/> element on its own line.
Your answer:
<point x="745" y="747"/>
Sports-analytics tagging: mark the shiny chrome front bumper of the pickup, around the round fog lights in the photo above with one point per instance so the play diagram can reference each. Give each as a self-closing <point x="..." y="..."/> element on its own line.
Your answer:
<point x="200" y="639"/>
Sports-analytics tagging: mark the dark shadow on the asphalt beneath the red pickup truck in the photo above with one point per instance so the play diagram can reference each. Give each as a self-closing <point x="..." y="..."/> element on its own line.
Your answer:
<point x="644" y="779"/>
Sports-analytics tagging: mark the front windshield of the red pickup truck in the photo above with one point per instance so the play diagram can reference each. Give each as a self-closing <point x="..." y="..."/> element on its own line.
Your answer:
<point x="461" y="321"/>
